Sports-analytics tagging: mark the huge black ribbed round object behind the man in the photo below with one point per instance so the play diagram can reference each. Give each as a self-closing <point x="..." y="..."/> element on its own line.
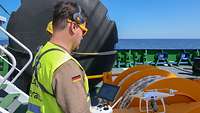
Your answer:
<point x="28" y="24"/>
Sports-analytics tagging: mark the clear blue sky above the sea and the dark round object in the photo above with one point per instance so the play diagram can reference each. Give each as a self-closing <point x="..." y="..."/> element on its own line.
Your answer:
<point x="147" y="18"/>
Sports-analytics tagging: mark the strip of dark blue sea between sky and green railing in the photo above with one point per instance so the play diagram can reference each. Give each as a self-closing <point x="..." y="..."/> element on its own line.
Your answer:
<point x="158" y="44"/>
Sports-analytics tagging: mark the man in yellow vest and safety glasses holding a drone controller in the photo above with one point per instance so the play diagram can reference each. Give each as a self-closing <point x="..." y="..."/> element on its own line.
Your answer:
<point x="59" y="83"/>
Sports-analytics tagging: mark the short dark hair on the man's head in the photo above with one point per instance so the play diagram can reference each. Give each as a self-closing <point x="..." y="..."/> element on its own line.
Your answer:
<point x="63" y="11"/>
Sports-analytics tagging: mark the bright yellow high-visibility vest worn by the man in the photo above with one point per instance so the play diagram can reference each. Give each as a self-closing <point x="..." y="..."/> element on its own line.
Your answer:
<point x="42" y="99"/>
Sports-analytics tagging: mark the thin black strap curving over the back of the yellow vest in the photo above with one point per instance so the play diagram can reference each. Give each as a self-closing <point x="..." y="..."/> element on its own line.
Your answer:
<point x="37" y="59"/>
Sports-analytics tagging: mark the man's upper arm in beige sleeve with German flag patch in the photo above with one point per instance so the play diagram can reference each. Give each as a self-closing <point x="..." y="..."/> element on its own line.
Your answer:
<point x="69" y="89"/>
